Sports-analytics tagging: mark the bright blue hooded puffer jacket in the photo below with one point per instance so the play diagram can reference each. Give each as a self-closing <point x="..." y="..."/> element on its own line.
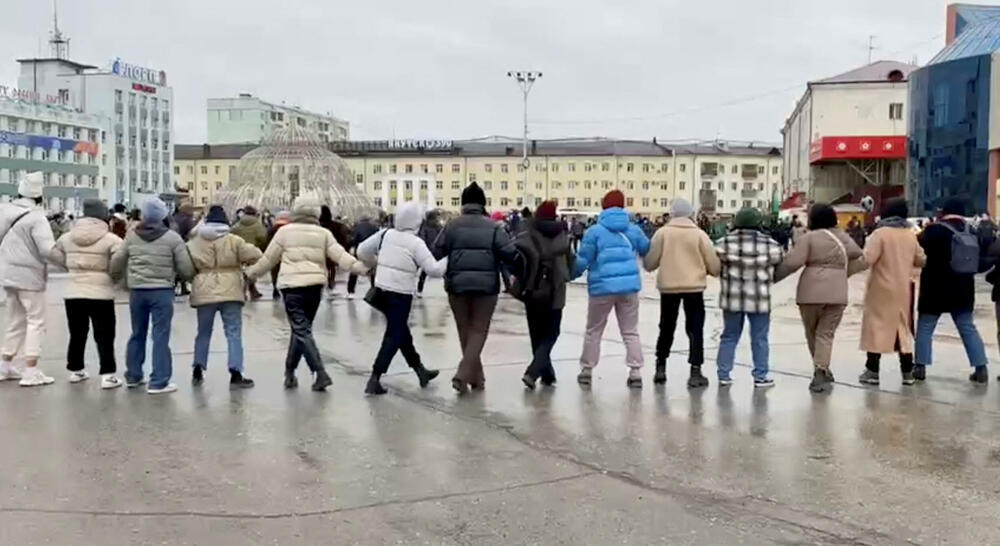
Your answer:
<point x="608" y="254"/>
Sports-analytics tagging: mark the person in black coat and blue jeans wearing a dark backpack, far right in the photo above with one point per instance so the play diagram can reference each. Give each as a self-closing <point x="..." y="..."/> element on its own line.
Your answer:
<point x="952" y="262"/>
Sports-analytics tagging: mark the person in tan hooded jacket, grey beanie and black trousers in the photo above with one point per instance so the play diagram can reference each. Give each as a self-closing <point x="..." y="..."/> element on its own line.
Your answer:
<point x="684" y="256"/>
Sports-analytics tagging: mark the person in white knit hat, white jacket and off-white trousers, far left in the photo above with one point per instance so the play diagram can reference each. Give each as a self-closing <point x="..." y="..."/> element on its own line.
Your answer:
<point x="25" y="242"/>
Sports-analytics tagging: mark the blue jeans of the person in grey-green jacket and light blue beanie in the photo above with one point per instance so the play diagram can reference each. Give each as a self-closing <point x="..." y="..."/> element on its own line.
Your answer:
<point x="157" y="303"/>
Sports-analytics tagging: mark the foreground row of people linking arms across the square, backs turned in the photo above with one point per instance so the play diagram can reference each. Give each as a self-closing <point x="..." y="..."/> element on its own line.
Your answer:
<point x="533" y="255"/>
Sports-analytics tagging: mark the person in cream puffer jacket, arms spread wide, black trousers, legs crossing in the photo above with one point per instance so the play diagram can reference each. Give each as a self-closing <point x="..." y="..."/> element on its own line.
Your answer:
<point x="302" y="248"/>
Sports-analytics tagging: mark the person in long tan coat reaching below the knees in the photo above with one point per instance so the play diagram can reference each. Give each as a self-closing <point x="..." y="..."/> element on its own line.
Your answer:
<point x="893" y="253"/>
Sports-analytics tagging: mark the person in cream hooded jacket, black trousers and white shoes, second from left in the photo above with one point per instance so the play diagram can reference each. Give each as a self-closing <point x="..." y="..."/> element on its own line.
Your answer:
<point x="85" y="251"/>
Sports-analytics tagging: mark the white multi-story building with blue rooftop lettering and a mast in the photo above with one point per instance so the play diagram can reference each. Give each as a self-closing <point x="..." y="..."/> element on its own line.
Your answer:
<point x="135" y="106"/>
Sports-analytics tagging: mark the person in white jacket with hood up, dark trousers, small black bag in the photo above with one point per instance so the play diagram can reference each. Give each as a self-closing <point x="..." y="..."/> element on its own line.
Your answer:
<point x="399" y="255"/>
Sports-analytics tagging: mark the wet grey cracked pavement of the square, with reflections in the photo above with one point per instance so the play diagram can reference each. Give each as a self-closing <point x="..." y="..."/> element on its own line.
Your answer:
<point x="606" y="465"/>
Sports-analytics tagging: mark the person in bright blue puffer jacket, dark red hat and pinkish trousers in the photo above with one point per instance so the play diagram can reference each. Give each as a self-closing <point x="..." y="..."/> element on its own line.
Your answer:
<point x="609" y="256"/>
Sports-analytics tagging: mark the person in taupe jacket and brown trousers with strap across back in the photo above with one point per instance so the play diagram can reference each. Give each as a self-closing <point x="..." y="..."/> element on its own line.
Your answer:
<point x="828" y="255"/>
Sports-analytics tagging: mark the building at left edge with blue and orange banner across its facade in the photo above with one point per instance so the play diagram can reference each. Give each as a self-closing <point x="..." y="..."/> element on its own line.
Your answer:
<point x="38" y="133"/>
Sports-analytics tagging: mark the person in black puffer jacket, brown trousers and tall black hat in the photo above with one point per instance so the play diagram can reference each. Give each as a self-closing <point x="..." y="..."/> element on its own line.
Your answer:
<point x="477" y="249"/>
